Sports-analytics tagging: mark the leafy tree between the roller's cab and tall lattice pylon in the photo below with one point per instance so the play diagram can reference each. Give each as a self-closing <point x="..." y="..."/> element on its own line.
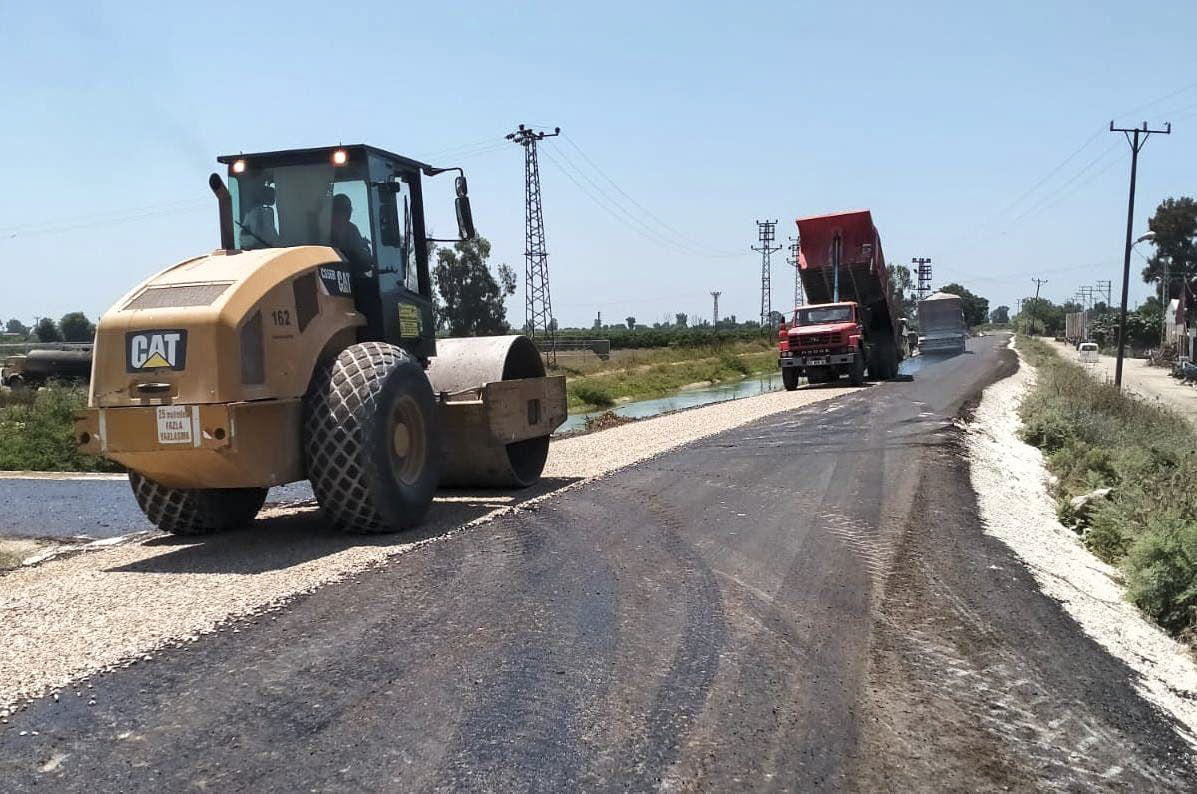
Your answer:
<point x="471" y="298"/>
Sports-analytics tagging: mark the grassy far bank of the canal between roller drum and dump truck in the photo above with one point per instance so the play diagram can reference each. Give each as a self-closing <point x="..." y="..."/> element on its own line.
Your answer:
<point x="661" y="373"/>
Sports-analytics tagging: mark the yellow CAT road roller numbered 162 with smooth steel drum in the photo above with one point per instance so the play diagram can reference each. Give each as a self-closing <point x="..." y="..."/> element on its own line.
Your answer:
<point x="305" y="348"/>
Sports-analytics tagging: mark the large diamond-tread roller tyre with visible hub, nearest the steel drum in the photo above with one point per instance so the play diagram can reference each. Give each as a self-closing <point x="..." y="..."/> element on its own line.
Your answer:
<point x="372" y="439"/>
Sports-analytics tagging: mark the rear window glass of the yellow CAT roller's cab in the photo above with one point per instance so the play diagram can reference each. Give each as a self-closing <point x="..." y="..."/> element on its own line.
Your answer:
<point x="305" y="205"/>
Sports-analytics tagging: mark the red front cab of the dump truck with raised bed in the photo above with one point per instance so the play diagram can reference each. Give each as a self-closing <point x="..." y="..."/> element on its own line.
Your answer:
<point x="823" y="343"/>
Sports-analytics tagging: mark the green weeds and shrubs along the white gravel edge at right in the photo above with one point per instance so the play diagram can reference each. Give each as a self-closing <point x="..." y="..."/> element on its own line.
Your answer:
<point x="1093" y="437"/>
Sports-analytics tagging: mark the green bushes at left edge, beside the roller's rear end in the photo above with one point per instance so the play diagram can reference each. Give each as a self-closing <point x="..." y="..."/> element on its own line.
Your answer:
<point x="37" y="432"/>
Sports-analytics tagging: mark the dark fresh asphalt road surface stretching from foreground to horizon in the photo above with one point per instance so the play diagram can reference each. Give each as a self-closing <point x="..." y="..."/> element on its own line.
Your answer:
<point x="804" y="603"/>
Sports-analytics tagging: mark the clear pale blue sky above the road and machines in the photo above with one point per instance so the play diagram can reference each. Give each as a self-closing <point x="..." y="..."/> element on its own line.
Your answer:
<point x="939" y="117"/>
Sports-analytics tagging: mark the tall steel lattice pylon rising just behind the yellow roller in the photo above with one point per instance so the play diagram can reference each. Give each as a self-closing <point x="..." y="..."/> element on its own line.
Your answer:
<point x="538" y="304"/>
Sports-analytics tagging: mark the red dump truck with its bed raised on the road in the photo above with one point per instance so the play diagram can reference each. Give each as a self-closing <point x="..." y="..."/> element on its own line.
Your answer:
<point x="849" y="324"/>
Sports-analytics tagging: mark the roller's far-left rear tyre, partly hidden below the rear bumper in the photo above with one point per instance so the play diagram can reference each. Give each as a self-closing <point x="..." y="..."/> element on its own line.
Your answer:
<point x="196" y="512"/>
